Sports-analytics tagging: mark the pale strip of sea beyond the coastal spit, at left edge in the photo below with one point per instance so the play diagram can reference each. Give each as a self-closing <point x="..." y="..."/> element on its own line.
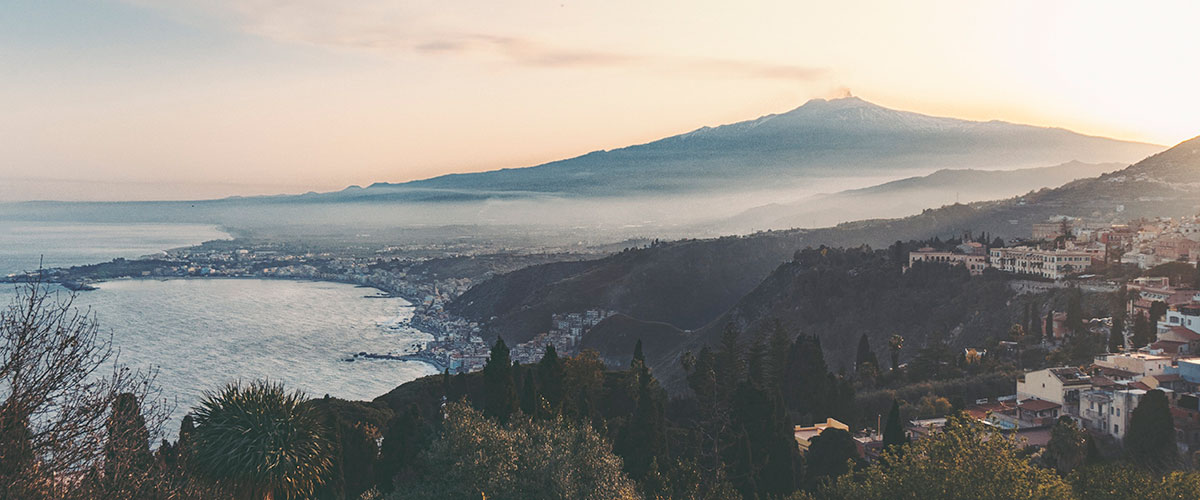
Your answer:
<point x="61" y="244"/>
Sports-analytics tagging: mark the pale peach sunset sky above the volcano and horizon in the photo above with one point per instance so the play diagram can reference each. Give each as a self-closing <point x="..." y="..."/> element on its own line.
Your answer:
<point x="205" y="99"/>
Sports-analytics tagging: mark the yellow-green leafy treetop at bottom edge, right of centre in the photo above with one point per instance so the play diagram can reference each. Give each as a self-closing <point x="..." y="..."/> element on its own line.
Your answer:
<point x="964" y="461"/>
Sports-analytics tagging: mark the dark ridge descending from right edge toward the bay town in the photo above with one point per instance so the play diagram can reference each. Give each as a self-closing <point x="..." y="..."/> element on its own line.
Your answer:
<point x="693" y="285"/>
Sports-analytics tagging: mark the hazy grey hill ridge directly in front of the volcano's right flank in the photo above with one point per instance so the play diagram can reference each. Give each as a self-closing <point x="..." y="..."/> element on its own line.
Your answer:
<point x="911" y="196"/>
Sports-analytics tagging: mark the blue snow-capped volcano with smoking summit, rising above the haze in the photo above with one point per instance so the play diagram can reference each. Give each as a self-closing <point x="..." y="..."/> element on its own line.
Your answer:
<point x="847" y="137"/>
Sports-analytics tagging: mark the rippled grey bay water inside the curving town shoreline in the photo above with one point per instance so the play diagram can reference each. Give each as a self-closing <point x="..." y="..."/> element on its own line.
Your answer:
<point x="203" y="334"/>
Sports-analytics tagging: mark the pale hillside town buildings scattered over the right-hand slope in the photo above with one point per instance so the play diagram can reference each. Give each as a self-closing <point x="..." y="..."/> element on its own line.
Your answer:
<point x="1101" y="396"/>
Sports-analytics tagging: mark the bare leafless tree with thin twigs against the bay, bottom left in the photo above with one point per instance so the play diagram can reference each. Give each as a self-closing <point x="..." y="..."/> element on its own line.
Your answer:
<point x="58" y="394"/>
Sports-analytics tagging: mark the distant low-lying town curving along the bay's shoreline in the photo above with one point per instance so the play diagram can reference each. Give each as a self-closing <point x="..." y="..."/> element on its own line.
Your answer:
<point x="458" y="345"/>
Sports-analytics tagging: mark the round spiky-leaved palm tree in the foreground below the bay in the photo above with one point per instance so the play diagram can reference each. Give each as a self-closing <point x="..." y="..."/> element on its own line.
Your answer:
<point x="260" y="442"/>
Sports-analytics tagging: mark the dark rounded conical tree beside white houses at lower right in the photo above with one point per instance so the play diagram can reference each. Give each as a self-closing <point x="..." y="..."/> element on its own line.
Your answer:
<point x="1151" y="438"/>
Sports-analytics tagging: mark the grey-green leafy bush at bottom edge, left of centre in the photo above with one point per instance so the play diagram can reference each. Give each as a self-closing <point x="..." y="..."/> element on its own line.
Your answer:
<point x="525" y="460"/>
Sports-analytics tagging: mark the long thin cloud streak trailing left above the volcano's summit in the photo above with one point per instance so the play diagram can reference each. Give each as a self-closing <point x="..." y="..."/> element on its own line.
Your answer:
<point x="403" y="28"/>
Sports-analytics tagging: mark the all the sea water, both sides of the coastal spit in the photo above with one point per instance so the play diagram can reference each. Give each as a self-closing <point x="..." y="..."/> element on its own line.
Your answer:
<point x="201" y="334"/>
